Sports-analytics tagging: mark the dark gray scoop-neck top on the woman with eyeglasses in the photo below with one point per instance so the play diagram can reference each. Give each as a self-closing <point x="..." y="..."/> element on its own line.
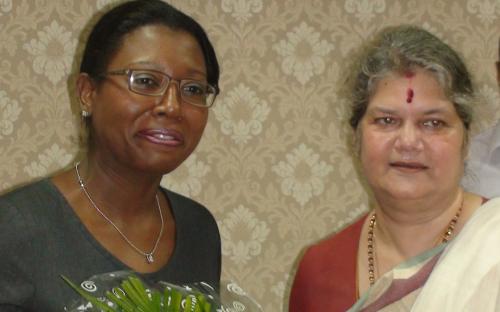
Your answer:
<point x="41" y="238"/>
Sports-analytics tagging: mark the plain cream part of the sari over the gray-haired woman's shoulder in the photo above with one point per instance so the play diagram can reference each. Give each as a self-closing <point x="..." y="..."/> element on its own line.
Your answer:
<point x="474" y="258"/>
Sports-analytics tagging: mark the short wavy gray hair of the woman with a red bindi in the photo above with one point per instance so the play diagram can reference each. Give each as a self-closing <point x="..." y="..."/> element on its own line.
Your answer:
<point x="401" y="49"/>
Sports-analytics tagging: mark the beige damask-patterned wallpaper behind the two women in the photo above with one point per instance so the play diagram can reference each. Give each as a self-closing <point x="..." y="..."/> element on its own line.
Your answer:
<point x="273" y="166"/>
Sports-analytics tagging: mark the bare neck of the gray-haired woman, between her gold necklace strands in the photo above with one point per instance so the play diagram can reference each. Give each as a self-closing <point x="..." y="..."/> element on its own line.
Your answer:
<point x="411" y="227"/>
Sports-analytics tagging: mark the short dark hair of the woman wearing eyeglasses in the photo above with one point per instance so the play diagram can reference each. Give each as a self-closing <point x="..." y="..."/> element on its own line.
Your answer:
<point x="107" y="35"/>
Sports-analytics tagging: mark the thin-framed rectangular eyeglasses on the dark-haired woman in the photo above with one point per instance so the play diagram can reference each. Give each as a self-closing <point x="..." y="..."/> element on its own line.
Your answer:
<point x="155" y="83"/>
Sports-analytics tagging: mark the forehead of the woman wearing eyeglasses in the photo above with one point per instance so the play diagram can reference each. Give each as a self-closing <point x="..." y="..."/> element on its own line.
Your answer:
<point x="160" y="46"/>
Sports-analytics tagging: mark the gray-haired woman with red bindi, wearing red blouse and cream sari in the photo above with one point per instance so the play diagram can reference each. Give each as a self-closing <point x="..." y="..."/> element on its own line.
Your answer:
<point x="411" y="112"/>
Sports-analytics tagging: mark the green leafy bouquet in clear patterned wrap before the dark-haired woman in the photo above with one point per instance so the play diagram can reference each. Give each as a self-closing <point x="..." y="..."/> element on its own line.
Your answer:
<point x="125" y="292"/>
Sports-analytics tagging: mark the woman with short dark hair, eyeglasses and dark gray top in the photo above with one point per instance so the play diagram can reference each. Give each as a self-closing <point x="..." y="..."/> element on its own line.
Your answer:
<point x="147" y="79"/>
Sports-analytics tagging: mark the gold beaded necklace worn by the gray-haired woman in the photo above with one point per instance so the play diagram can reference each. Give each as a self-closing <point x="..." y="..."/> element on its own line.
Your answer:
<point x="448" y="233"/>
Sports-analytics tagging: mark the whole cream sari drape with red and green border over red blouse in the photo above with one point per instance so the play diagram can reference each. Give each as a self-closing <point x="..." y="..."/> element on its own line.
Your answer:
<point x="463" y="275"/>
